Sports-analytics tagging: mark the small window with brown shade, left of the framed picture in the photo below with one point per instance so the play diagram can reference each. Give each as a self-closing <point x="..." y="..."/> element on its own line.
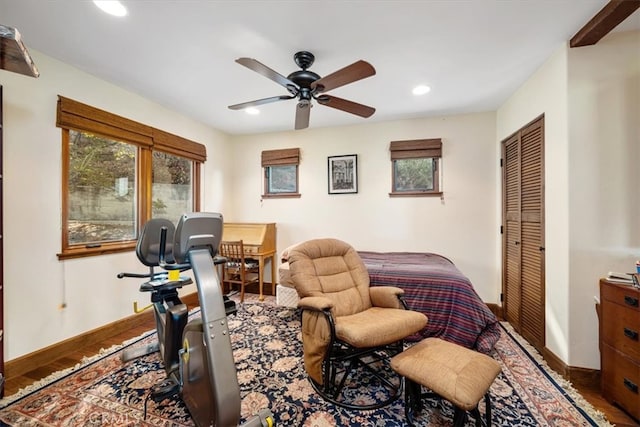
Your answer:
<point x="281" y="172"/>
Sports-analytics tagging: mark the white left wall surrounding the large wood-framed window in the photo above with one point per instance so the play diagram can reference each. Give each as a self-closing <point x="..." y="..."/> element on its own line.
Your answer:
<point x="35" y="282"/>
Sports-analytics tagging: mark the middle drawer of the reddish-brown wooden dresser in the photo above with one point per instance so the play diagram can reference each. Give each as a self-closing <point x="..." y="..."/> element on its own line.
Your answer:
<point x="621" y="329"/>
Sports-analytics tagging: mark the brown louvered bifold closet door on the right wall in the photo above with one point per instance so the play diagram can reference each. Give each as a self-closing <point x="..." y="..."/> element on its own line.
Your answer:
<point x="523" y="240"/>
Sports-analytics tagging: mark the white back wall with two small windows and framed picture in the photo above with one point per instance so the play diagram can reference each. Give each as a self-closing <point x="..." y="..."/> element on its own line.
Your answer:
<point x="463" y="225"/>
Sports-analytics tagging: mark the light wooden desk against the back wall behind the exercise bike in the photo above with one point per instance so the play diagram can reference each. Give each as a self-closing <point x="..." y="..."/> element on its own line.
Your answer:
<point x="259" y="240"/>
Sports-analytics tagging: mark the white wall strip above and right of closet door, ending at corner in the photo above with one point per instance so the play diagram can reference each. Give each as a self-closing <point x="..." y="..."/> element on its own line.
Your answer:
<point x="545" y="92"/>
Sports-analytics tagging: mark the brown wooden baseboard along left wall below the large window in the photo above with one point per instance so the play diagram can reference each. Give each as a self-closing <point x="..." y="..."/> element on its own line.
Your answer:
<point x="27" y="363"/>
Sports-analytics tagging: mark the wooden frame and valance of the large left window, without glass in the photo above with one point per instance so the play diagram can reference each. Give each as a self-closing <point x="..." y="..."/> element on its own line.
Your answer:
<point x="74" y="115"/>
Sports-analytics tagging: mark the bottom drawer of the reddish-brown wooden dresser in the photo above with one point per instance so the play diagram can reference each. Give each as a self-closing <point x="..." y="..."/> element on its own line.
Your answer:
<point x="621" y="380"/>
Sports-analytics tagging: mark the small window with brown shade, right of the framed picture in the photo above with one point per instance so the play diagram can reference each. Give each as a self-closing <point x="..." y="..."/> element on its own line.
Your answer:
<point x="415" y="167"/>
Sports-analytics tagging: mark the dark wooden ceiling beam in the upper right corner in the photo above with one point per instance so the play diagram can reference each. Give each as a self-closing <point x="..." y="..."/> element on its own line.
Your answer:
<point x="604" y="21"/>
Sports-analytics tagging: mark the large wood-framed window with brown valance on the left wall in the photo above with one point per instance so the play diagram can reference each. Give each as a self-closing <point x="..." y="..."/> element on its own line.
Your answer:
<point x="117" y="174"/>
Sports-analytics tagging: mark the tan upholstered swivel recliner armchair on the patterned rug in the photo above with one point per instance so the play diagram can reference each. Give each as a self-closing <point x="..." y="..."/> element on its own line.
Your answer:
<point x="347" y="326"/>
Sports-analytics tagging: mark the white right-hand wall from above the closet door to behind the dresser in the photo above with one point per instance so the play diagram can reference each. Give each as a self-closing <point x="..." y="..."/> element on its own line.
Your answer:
<point x="590" y="97"/>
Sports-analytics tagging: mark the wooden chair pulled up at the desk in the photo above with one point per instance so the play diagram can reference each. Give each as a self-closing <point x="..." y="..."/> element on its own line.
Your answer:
<point x="238" y="270"/>
